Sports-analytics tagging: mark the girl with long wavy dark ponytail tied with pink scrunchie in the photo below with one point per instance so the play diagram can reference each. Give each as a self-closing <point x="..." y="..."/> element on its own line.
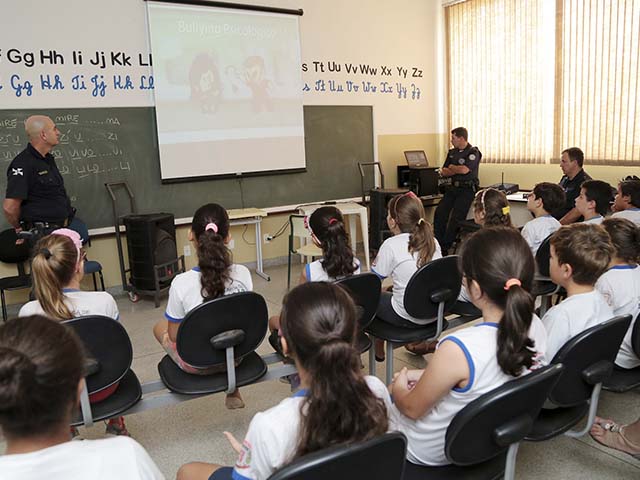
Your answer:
<point x="214" y="277"/>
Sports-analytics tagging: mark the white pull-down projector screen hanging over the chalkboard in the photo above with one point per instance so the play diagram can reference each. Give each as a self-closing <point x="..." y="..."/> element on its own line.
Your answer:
<point x="228" y="90"/>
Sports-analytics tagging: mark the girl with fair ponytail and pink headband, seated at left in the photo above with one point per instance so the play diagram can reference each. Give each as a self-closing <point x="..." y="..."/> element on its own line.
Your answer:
<point x="57" y="269"/>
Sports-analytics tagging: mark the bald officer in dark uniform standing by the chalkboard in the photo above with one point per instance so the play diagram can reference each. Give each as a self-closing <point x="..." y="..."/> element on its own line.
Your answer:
<point x="35" y="188"/>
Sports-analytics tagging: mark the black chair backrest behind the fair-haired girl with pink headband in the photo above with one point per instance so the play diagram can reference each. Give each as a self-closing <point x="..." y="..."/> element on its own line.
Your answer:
<point x="106" y="341"/>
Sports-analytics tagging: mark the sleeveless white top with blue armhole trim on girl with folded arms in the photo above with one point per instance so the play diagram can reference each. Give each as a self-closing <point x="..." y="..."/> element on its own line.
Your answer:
<point x="426" y="435"/>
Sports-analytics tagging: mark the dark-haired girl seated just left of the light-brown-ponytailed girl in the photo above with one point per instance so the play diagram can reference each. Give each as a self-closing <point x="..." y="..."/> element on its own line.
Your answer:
<point x="326" y="226"/>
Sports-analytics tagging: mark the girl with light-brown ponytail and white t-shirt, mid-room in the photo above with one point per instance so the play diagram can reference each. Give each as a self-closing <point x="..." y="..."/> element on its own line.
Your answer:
<point x="412" y="246"/>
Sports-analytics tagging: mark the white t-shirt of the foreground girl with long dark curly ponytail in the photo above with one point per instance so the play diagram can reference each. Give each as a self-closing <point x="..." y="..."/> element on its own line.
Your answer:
<point x="273" y="435"/>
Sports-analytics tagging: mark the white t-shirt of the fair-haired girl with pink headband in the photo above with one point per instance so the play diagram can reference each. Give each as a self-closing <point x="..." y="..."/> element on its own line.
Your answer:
<point x="80" y="304"/>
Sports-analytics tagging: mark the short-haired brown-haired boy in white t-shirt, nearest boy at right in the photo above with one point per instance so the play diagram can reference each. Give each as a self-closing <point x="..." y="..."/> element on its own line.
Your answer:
<point x="580" y="253"/>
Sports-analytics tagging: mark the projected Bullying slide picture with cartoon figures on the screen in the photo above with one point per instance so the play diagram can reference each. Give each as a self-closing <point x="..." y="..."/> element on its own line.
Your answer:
<point x="219" y="70"/>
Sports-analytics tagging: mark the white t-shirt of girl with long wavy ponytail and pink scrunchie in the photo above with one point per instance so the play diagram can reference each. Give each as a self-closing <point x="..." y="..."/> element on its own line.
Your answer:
<point x="185" y="291"/>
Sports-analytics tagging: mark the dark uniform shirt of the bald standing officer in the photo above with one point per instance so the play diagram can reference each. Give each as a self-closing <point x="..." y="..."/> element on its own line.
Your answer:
<point x="36" y="180"/>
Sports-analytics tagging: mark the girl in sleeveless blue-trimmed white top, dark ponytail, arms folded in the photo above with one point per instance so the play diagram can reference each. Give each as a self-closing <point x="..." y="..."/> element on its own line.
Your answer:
<point x="498" y="270"/>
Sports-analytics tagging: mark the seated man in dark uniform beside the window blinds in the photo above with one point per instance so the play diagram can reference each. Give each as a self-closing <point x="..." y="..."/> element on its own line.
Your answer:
<point x="574" y="176"/>
